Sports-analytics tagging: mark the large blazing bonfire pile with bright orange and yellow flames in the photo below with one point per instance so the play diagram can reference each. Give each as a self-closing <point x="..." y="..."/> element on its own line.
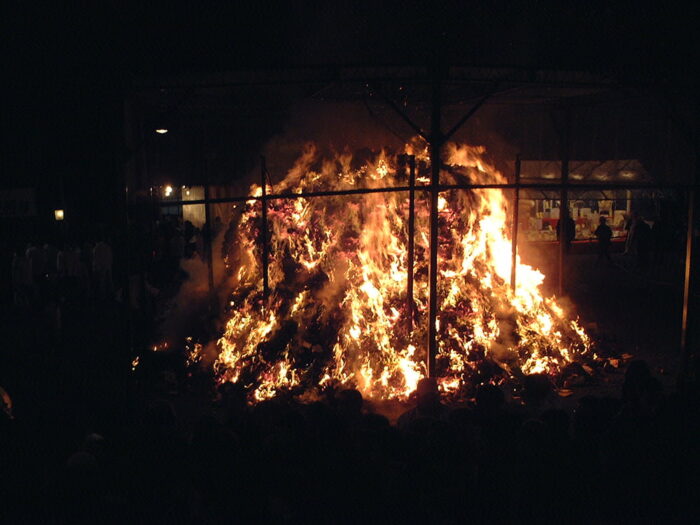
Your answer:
<point x="337" y="310"/>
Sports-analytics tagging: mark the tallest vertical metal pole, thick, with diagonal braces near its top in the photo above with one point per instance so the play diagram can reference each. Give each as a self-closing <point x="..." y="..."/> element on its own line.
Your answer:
<point x="435" y="162"/>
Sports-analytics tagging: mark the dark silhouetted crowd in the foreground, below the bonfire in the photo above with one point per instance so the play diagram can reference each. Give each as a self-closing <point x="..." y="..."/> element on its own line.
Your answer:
<point x="191" y="455"/>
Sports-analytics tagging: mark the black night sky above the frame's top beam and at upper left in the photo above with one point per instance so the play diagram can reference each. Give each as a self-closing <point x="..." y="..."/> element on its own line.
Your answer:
<point x="67" y="67"/>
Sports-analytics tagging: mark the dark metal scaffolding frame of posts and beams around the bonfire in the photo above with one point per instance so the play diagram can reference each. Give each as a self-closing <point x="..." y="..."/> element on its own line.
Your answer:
<point x="489" y="79"/>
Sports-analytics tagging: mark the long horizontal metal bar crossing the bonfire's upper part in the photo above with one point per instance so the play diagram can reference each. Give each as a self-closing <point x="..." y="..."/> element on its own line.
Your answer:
<point x="442" y="187"/>
